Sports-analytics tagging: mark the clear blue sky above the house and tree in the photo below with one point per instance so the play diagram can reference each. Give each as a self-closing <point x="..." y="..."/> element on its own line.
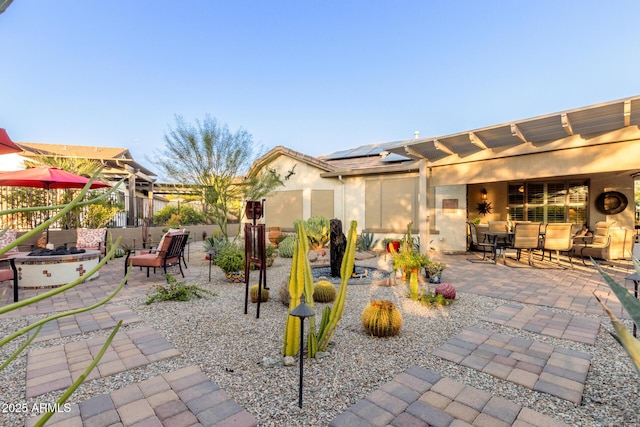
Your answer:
<point x="314" y="76"/>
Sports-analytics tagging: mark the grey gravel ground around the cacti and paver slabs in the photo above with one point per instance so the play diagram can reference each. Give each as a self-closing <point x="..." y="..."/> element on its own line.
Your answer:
<point x="230" y="347"/>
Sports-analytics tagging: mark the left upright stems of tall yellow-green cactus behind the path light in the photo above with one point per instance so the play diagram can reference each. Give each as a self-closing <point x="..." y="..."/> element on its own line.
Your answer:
<point x="300" y="282"/>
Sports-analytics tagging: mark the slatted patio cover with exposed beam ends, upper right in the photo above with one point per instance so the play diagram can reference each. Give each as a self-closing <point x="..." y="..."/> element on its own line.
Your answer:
<point x="593" y="119"/>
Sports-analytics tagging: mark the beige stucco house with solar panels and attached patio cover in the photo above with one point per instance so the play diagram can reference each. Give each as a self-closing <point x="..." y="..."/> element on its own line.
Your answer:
<point x="596" y="145"/>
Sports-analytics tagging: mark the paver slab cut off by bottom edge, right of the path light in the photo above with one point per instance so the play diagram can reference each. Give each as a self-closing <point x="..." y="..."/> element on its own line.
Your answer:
<point x="444" y="403"/>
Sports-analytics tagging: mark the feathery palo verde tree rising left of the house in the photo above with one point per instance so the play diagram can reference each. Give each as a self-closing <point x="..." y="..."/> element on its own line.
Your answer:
<point x="214" y="158"/>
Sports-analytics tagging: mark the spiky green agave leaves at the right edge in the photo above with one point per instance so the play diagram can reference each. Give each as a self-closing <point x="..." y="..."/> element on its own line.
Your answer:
<point x="632" y="305"/>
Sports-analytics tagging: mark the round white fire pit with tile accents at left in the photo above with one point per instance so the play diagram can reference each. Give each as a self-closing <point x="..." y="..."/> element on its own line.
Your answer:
<point x="49" y="271"/>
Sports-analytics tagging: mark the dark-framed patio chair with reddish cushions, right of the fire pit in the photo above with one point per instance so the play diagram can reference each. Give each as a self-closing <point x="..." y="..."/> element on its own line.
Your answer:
<point x="168" y="254"/>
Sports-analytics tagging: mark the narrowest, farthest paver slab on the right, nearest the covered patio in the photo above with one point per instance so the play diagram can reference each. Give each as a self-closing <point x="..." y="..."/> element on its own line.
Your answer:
<point x="546" y="322"/>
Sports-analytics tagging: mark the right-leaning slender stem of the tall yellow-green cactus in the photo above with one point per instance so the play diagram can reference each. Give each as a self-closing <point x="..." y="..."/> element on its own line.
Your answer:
<point x="331" y="317"/>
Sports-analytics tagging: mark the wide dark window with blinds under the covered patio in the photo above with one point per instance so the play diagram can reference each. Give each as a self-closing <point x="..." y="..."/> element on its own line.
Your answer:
<point x="548" y="202"/>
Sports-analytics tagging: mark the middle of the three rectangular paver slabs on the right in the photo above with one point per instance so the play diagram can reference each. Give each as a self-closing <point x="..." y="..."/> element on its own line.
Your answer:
<point x="545" y="368"/>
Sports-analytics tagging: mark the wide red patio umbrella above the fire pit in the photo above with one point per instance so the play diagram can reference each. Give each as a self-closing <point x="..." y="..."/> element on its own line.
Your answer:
<point x="46" y="177"/>
